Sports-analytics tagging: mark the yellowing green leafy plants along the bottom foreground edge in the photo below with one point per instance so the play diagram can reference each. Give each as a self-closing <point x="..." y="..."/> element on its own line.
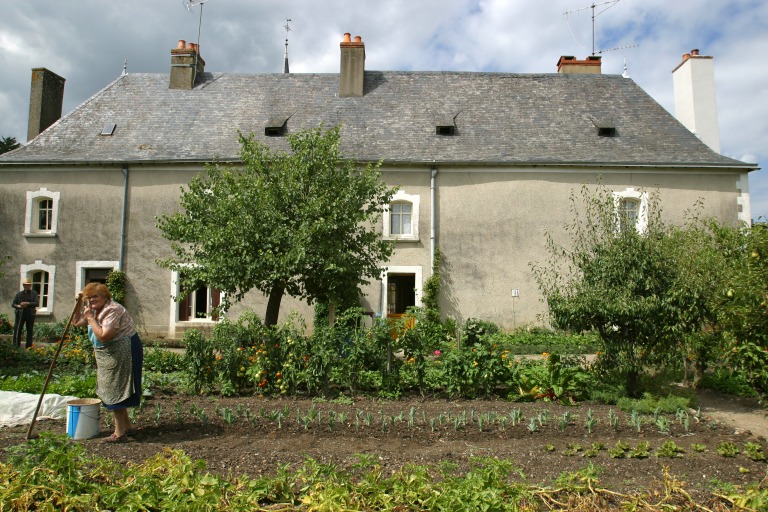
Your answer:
<point x="52" y="473"/>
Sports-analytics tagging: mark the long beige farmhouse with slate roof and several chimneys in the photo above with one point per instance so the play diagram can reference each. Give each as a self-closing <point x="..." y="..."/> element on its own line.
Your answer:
<point x="485" y="164"/>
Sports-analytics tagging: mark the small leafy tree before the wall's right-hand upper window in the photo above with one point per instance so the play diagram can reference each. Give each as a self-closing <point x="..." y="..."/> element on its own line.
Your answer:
<point x="614" y="281"/>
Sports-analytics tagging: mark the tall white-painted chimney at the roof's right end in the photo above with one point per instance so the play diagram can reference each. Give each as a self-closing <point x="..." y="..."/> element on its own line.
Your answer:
<point x="695" y="100"/>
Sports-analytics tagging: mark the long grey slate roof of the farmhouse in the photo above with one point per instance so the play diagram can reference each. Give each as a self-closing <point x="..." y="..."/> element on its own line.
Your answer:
<point x="500" y="118"/>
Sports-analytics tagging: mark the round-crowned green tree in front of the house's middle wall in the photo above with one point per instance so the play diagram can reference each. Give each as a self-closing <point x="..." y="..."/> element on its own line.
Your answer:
<point x="301" y="222"/>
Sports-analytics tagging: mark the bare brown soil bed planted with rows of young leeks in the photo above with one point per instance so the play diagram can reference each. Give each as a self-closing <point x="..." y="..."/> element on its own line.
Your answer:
<point x="252" y="443"/>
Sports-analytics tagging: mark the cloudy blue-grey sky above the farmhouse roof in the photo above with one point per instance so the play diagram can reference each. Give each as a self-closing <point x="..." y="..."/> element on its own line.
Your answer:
<point x="89" y="41"/>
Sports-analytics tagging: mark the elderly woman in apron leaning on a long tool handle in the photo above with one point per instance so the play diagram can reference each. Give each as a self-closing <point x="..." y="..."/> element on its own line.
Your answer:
<point x="119" y="354"/>
